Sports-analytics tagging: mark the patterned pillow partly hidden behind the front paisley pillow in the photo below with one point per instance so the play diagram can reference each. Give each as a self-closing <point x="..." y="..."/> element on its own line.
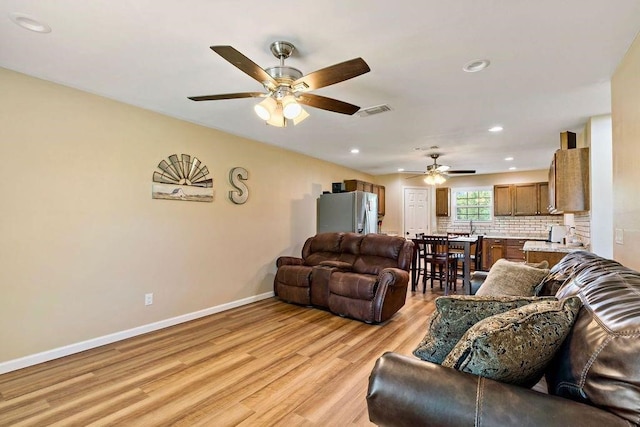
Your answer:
<point x="457" y="313"/>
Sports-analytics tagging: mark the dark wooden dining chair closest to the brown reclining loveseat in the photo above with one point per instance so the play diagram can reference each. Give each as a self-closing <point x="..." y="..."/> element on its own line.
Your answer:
<point x="441" y="266"/>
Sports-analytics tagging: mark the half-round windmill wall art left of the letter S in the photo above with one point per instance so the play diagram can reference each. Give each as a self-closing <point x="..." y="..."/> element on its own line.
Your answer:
<point x="182" y="178"/>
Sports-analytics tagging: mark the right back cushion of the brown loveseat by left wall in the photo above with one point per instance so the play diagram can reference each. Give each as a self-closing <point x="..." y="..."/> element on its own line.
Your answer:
<point x="379" y="251"/>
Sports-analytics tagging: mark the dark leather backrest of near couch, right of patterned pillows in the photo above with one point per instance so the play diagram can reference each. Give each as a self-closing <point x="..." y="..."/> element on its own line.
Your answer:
<point x="599" y="362"/>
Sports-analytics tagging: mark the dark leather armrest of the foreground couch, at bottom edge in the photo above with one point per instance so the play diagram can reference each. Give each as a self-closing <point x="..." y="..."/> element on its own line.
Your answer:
<point x="405" y="391"/>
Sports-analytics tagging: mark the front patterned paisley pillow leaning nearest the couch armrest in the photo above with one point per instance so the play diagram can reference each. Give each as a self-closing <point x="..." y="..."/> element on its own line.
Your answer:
<point x="515" y="346"/>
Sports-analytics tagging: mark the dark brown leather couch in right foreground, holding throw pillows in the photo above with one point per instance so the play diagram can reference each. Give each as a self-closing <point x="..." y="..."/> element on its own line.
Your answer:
<point x="594" y="379"/>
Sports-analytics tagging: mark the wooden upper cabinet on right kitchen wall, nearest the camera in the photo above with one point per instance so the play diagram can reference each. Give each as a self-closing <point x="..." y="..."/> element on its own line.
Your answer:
<point x="569" y="181"/>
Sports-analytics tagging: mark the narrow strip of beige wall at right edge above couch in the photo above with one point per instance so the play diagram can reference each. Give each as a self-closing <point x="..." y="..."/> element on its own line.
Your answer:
<point x="625" y="111"/>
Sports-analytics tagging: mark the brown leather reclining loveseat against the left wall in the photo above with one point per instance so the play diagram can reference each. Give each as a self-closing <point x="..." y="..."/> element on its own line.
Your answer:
<point x="364" y="277"/>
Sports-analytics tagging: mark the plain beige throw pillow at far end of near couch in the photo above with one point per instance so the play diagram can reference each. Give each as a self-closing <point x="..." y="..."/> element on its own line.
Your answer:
<point x="512" y="278"/>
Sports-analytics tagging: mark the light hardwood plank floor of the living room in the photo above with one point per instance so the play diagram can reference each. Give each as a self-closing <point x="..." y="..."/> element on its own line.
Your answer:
<point x="267" y="363"/>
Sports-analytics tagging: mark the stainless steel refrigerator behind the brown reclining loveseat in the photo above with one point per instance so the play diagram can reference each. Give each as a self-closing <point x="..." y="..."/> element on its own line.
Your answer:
<point x="355" y="211"/>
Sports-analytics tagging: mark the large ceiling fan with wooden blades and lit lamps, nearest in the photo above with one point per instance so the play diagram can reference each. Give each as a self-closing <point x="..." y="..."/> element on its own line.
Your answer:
<point x="287" y="87"/>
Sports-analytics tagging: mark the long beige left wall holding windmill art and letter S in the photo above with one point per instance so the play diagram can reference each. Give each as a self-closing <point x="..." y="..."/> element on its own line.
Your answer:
<point x="82" y="240"/>
